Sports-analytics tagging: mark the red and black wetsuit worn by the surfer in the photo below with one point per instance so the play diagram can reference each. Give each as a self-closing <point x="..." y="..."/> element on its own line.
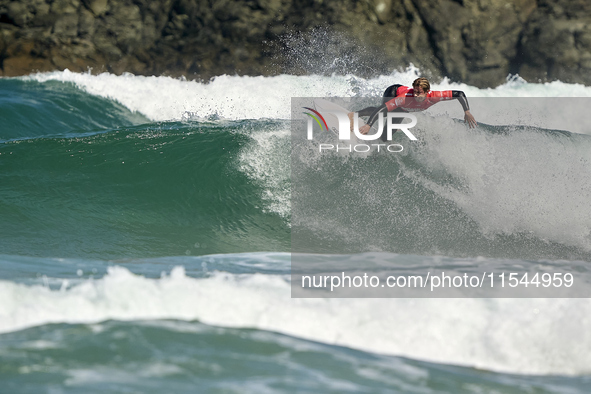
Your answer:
<point x="399" y="98"/>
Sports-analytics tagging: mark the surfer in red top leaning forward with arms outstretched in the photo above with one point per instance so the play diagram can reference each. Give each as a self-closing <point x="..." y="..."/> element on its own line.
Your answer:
<point x="399" y="98"/>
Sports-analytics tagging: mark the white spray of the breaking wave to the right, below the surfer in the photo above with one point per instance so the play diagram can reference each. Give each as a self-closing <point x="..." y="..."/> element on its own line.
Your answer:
<point x="524" y="182"/>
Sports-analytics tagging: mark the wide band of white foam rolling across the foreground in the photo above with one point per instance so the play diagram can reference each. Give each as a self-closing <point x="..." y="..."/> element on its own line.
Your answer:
<point x="519" y="336"/>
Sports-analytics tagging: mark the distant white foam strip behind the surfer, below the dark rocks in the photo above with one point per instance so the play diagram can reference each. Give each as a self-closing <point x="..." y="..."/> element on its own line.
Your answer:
<point x="245" y="97"/>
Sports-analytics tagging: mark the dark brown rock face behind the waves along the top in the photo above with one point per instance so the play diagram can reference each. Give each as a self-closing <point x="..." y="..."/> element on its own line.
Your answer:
<point x="474" y="41"/>
